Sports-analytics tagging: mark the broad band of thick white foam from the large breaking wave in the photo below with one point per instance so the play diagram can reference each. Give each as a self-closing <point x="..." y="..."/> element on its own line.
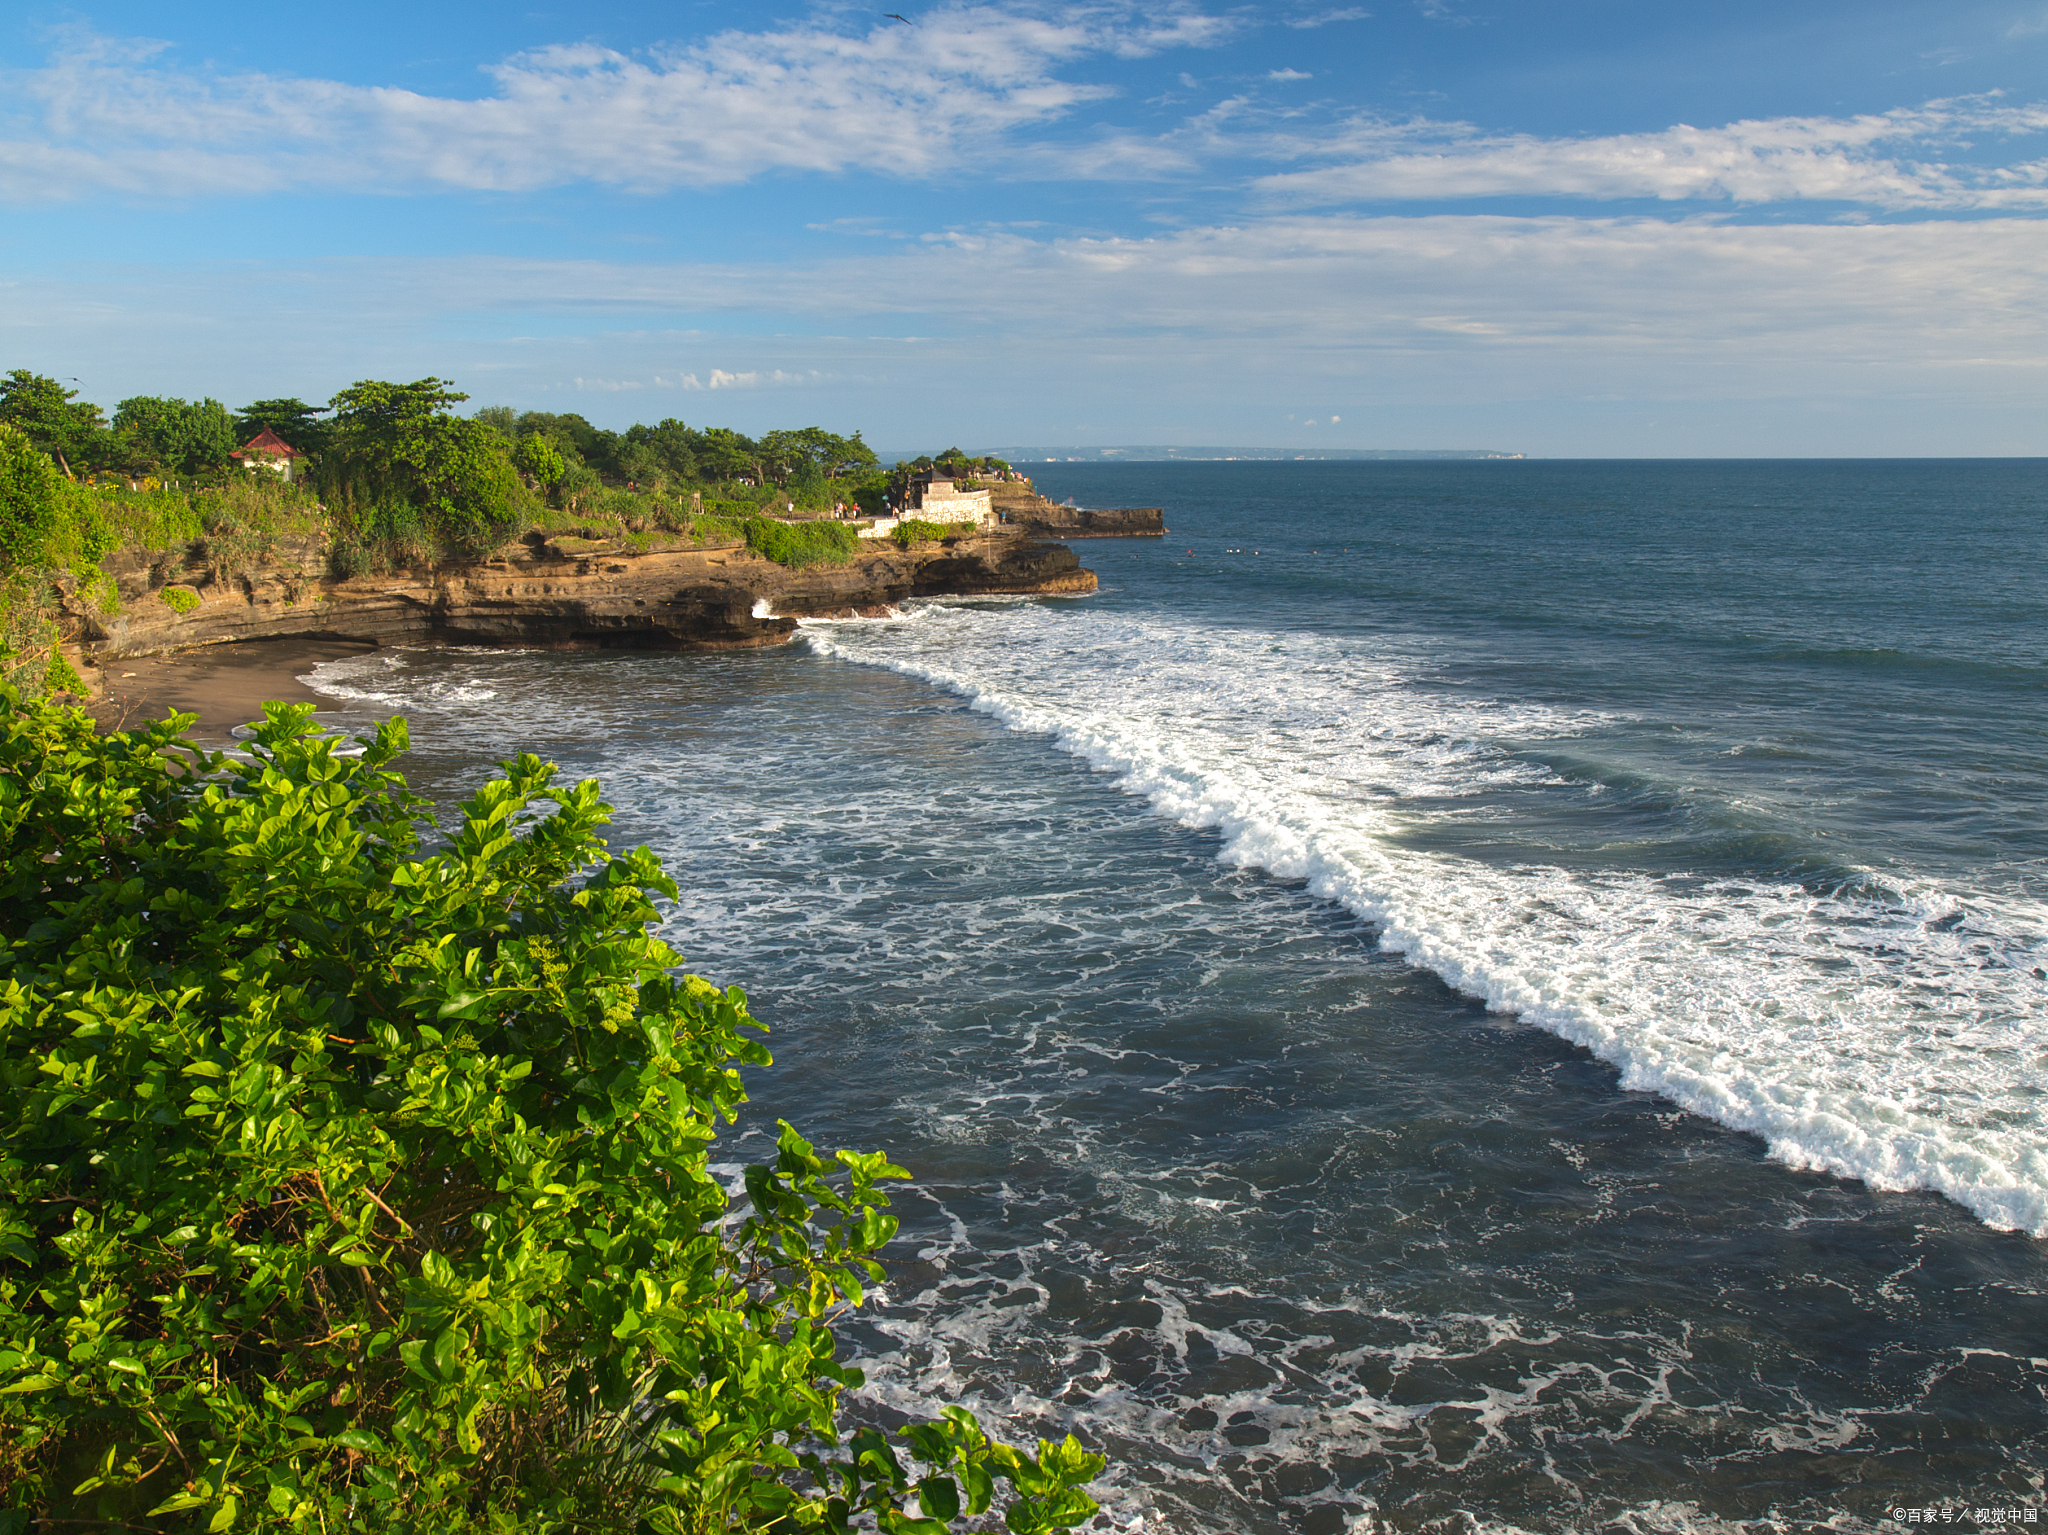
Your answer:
<point x="1895" y="1041"/>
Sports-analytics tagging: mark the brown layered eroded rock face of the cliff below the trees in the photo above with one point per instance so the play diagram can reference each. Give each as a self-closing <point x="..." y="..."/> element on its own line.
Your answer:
<point x="550" y="593"/>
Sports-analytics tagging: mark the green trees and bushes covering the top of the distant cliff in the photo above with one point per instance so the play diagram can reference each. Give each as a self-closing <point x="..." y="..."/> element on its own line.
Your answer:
<point x="390" y="476"/>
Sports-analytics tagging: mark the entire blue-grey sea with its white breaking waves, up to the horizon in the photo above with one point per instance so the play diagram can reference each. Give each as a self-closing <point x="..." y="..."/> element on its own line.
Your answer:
<point x="1445" y="998"/>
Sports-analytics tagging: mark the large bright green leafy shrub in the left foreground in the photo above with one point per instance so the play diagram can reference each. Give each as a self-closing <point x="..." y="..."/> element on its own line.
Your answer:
<point x="347" y="1188"/>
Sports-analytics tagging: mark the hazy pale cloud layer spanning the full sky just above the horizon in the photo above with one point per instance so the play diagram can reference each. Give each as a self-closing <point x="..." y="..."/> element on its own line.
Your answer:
<point x="1926" y="337"/>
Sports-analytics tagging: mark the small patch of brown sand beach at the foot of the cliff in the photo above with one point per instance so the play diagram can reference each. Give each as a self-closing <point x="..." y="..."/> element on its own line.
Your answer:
<point x="224" y="685"/>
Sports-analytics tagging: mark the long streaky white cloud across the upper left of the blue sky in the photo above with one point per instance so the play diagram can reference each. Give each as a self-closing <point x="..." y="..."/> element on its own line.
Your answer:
<point x="898" y="99"/>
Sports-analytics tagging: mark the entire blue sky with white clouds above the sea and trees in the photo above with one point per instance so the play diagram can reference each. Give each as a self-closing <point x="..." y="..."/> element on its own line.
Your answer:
<point x="1551" y="226"/>
